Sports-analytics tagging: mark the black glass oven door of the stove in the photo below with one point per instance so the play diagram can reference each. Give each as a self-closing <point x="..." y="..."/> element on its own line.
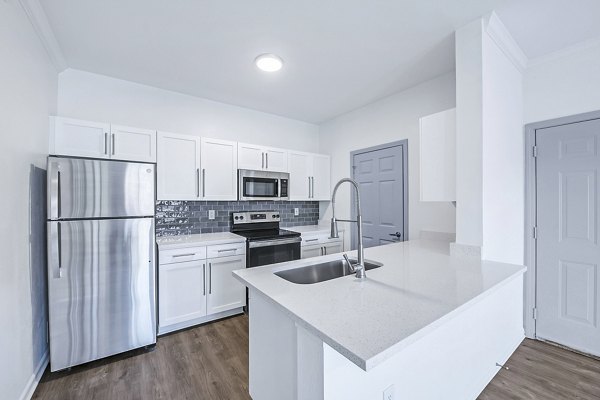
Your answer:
<point x="264" y="252"/>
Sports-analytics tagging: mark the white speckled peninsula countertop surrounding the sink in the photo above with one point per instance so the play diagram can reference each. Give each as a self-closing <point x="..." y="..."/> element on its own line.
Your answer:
<point x="419" y="287"/>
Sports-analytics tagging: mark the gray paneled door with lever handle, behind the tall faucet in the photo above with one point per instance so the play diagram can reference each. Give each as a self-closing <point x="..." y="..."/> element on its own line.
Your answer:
<point x="380" y="175"/>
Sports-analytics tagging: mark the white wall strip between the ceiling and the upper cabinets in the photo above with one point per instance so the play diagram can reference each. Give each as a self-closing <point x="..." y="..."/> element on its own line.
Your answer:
<point x="100" y="98"/>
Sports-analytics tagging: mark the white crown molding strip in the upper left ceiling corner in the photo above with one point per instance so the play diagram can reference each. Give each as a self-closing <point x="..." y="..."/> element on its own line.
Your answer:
<point x="40" y="23"/>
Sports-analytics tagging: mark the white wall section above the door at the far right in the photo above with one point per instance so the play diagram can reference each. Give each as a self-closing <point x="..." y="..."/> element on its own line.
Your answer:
<point x="563" y="83"/>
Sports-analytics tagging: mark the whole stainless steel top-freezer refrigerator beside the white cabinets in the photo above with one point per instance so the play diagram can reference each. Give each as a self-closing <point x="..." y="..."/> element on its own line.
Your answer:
<point x="101" y="258"/>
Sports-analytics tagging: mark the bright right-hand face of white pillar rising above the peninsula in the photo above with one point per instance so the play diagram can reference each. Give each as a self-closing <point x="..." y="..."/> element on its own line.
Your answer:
<point x="502" y="156"/>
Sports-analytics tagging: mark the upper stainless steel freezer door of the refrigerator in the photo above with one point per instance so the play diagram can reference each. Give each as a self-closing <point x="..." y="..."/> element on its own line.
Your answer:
<point x="84" y="188"/>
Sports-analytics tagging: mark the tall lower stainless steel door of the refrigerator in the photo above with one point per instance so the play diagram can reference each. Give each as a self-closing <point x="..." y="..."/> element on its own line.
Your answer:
<point x="101" y="288"/>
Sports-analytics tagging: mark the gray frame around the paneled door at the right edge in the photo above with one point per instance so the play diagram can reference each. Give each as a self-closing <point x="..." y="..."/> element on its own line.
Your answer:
<point x="530" y="288"/>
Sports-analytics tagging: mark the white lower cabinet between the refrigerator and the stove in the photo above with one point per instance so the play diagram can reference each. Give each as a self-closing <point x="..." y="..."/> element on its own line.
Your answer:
<point x="200" y="290"/>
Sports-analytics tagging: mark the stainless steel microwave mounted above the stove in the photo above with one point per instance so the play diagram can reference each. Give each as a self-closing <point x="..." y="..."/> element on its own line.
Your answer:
<point x="262" y="185"/>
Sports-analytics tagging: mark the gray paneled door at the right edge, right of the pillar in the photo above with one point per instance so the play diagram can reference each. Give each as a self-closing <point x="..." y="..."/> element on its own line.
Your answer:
<point x="568" y="278"/>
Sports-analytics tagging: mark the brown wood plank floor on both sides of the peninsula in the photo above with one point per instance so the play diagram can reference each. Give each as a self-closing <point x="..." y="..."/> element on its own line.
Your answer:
<point x="211" y="362"/>
